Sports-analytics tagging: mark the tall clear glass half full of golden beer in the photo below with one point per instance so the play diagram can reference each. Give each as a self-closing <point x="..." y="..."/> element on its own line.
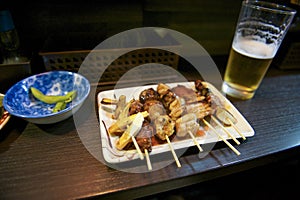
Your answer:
<point x="259" y="32"/>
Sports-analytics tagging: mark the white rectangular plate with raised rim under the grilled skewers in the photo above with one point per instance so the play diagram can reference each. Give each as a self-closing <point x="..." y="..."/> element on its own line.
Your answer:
<point x="112" y="155"/>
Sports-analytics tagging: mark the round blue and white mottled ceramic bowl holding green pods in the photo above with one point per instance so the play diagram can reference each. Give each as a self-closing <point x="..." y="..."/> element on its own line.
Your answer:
<point x="19" y="101"/>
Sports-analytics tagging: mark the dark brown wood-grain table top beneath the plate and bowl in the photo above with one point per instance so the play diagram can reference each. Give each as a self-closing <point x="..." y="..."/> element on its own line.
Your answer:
<point x="51" y="161"/>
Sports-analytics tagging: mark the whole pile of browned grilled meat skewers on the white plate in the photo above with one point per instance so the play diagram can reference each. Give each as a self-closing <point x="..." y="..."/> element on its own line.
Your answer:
<point x="168" y="110"/>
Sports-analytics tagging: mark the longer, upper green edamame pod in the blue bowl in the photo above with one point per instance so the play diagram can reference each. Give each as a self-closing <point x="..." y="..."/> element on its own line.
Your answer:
<point x="52" y="99"/>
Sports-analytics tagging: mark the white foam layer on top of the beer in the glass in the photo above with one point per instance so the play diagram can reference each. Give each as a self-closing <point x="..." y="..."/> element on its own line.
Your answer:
<point x="254" y="49"/>
